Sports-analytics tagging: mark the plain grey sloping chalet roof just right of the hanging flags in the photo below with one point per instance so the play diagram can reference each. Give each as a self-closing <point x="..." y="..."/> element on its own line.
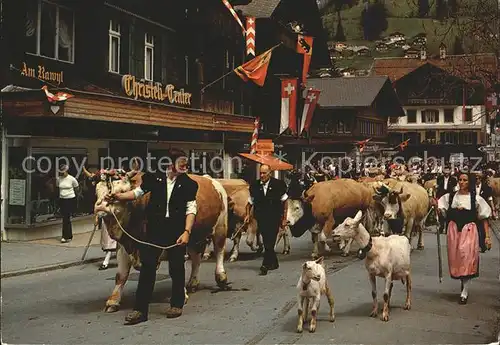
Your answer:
<point x="347" y="92"/>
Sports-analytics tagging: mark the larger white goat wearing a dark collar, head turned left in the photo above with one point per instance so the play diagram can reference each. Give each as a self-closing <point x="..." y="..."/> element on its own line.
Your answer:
<point x="386" y="257"/>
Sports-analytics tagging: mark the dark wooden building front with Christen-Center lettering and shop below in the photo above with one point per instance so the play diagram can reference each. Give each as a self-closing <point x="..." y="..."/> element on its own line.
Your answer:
<point x="136" y="73"/>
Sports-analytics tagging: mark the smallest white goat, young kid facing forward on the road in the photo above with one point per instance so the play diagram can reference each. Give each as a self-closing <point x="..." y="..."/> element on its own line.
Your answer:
<point x="312" y="284"/>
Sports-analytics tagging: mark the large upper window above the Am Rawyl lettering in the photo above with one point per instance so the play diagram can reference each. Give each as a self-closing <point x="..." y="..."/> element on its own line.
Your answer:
<point x="50" y="31"/>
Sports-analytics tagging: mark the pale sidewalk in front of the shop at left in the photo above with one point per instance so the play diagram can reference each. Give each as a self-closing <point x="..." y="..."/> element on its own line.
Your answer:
<point x="20" y="258"/>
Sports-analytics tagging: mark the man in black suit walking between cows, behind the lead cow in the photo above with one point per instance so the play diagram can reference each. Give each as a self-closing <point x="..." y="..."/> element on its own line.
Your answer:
<point x="267" y="201"/>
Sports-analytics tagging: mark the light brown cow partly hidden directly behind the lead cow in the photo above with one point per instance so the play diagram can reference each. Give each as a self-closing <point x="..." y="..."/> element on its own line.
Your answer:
<point x="238" y="193"/>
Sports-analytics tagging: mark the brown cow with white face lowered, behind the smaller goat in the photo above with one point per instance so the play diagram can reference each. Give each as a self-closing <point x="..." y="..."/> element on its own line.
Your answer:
<point x="323" y="205"/>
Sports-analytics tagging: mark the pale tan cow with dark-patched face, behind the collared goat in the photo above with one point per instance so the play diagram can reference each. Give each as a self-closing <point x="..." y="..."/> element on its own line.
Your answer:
<point x="405" y="206"/>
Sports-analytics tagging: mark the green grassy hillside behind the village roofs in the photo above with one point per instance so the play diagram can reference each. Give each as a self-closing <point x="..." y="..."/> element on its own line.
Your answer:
<point x="402" y="17"/>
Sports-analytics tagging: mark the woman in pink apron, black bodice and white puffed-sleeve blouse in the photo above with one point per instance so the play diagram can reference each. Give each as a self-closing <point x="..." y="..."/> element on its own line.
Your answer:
<point x="463" y="209"/>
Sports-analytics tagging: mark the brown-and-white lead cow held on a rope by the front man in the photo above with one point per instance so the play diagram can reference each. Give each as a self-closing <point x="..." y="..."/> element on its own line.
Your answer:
<point x="125" y="220"/>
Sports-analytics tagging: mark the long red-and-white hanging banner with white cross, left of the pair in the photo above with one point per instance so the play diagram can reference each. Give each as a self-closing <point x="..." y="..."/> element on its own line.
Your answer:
<point x="288" y="105"/>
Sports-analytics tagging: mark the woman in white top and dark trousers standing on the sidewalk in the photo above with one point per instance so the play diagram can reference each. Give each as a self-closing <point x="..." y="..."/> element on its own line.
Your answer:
<point x="67" y="200"/>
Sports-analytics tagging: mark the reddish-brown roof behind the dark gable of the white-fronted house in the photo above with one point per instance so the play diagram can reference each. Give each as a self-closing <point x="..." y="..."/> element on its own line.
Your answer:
<point x="470" y="66"/>
